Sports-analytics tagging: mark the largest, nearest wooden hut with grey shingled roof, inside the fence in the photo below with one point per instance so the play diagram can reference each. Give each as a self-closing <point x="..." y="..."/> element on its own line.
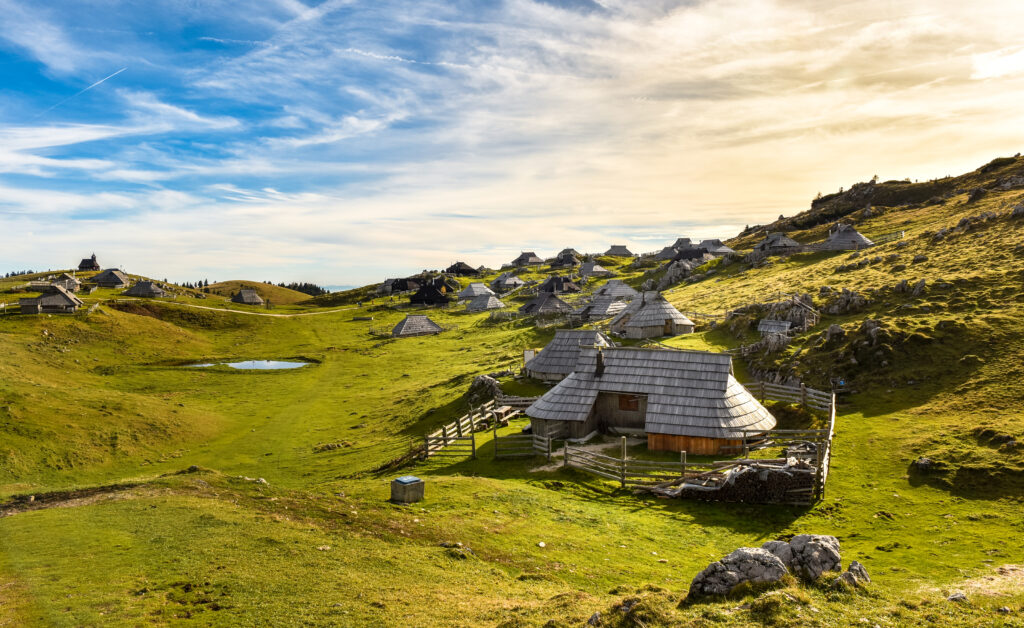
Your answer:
<point x="681" y="401"/>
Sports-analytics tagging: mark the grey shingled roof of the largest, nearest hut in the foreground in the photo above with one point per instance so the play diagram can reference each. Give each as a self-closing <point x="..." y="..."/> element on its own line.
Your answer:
<point x="689" y="393"/>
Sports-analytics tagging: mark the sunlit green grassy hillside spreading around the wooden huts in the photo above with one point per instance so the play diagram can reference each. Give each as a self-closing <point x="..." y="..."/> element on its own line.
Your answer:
<point x="223" y="497"/>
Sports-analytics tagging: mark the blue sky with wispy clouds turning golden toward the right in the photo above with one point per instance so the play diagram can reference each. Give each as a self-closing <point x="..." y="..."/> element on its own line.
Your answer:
<point x="343" y="142"/>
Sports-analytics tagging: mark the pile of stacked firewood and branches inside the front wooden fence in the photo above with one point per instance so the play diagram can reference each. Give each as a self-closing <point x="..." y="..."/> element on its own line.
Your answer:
<point x="762" y="482"/>
